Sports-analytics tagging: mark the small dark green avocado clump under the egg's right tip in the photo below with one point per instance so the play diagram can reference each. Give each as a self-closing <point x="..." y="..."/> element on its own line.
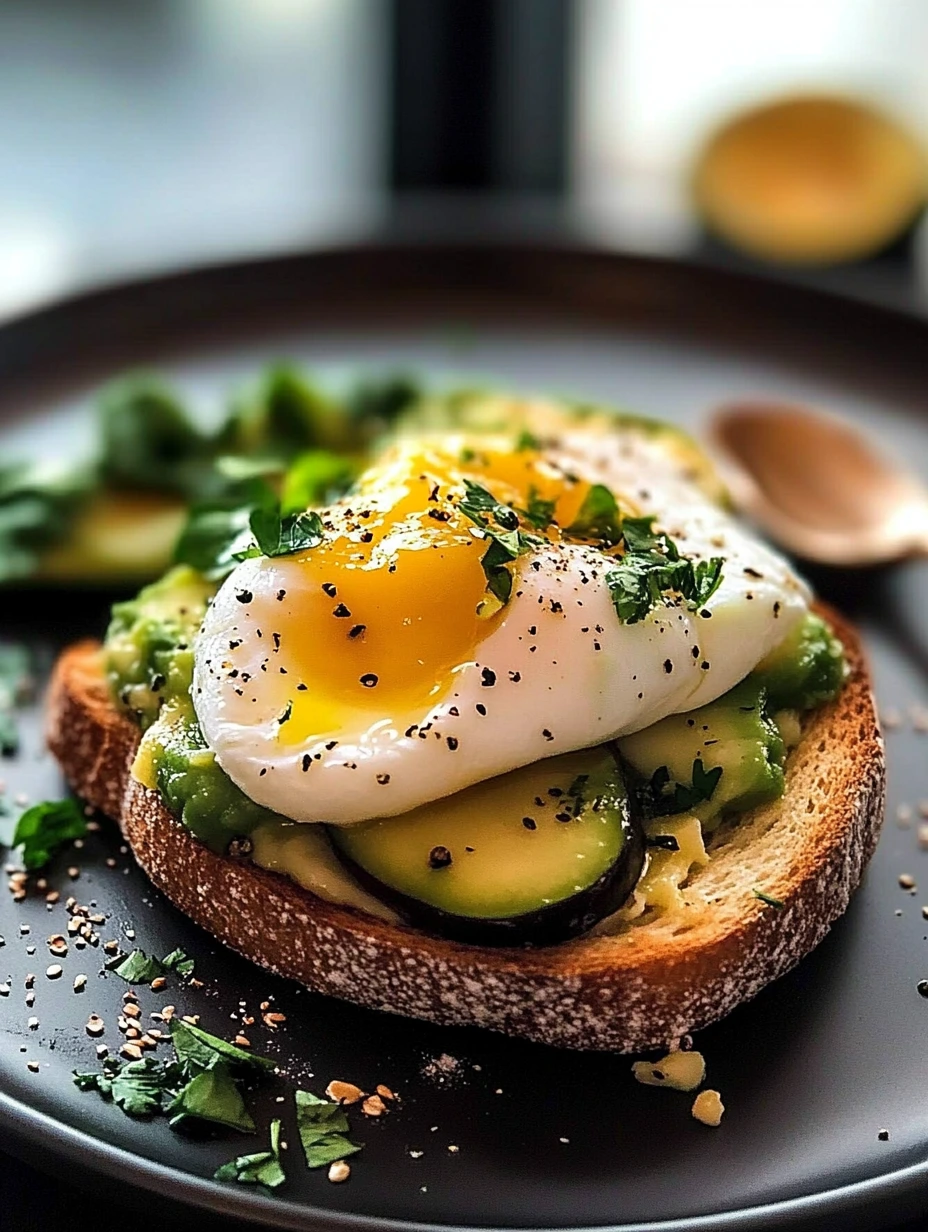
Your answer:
<point x="805" y="671"/>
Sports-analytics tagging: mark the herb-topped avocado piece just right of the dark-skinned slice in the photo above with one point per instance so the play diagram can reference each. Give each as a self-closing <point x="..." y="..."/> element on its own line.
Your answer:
<point x="723" y="758"/>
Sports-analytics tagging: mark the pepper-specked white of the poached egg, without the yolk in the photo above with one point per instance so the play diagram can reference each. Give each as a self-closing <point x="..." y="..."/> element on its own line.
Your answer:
<point x="558" y="673"/>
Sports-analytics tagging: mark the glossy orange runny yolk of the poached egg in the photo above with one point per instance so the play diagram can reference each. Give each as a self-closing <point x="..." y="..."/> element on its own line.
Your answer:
<point x="391" y="603"/>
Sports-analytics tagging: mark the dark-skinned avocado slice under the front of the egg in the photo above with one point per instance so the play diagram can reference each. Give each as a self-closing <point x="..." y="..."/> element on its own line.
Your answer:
<point x="534" y="857"/>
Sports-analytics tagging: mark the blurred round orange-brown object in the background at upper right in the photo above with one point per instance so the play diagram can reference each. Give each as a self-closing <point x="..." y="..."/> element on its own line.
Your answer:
<point x="812" y="179"/>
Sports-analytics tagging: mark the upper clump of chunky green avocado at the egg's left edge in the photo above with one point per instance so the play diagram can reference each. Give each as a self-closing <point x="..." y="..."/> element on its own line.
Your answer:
<point x="149" y="650"/>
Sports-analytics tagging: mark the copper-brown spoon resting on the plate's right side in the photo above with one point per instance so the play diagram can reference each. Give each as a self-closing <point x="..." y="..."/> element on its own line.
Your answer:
<point x="818" y="486"/>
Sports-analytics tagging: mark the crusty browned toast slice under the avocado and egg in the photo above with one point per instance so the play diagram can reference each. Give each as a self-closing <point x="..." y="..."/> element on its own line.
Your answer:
<point x="641" y="989"/>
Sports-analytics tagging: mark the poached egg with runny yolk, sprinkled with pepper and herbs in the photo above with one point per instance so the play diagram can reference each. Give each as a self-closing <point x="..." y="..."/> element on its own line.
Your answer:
<point x="381" y="671"/>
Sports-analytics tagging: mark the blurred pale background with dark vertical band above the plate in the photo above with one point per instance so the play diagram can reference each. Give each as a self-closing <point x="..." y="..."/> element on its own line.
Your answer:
<point x="162" y="134"/>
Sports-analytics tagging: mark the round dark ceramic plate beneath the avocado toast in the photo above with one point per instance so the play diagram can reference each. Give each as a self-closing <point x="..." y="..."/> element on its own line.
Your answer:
<point x="810" y="1072"/>
